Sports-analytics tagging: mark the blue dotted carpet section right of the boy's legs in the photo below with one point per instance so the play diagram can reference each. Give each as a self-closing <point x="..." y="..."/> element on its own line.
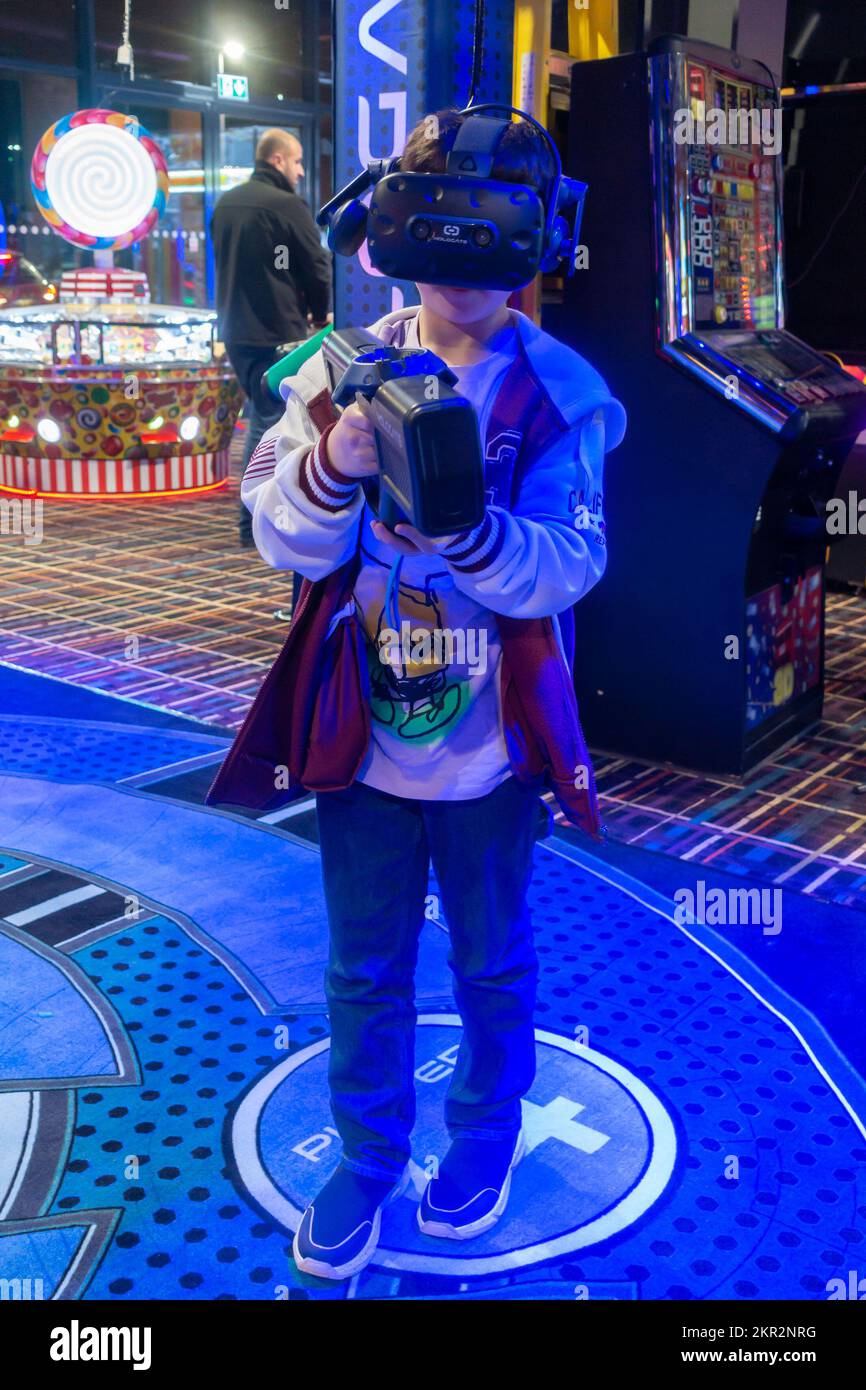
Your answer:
<point x="740" y="1086"/>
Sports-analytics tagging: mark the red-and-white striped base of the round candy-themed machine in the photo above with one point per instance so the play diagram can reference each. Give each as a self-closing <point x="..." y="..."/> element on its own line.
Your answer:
<point x="113" y="477"/>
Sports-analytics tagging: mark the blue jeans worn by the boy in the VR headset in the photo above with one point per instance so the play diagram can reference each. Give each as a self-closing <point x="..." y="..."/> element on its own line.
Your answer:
<point x="376" y="853"/>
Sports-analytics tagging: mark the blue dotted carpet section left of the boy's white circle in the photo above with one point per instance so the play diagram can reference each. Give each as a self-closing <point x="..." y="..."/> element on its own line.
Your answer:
<point x="184" y="1231"/>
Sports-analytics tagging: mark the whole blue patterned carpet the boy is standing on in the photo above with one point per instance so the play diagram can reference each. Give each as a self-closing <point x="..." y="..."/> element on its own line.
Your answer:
<point x="694" y="1132"/>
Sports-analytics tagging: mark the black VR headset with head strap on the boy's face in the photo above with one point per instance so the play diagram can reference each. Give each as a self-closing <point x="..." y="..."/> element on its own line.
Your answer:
<point x="462" y="227"/>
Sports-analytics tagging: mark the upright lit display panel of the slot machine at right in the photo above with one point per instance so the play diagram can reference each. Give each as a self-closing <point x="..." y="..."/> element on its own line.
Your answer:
<point x="732" y="201"/>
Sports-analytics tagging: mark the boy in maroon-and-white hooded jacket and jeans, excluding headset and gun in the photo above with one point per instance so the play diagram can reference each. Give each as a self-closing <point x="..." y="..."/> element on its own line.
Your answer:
<point x="425" y="754"/>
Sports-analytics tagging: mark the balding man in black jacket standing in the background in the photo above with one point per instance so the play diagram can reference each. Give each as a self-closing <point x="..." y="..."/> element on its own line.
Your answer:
<point x="272" y="275"/>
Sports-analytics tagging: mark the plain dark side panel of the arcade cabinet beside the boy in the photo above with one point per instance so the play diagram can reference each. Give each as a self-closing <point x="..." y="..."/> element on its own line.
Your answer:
<point x="680" y="493"/>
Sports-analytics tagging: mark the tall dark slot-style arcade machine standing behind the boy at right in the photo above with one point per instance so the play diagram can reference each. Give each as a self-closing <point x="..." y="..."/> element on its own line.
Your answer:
<point x="704" y="644"/>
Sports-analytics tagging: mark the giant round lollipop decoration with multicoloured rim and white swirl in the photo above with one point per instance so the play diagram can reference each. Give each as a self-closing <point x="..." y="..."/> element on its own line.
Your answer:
<point x="99" y="180"/>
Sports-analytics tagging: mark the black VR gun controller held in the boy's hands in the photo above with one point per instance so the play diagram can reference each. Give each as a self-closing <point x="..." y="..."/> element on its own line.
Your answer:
<point x="432" y="471"/>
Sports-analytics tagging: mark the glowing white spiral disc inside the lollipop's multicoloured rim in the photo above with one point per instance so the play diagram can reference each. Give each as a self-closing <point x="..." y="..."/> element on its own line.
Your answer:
<point x="101" y="180"/>
